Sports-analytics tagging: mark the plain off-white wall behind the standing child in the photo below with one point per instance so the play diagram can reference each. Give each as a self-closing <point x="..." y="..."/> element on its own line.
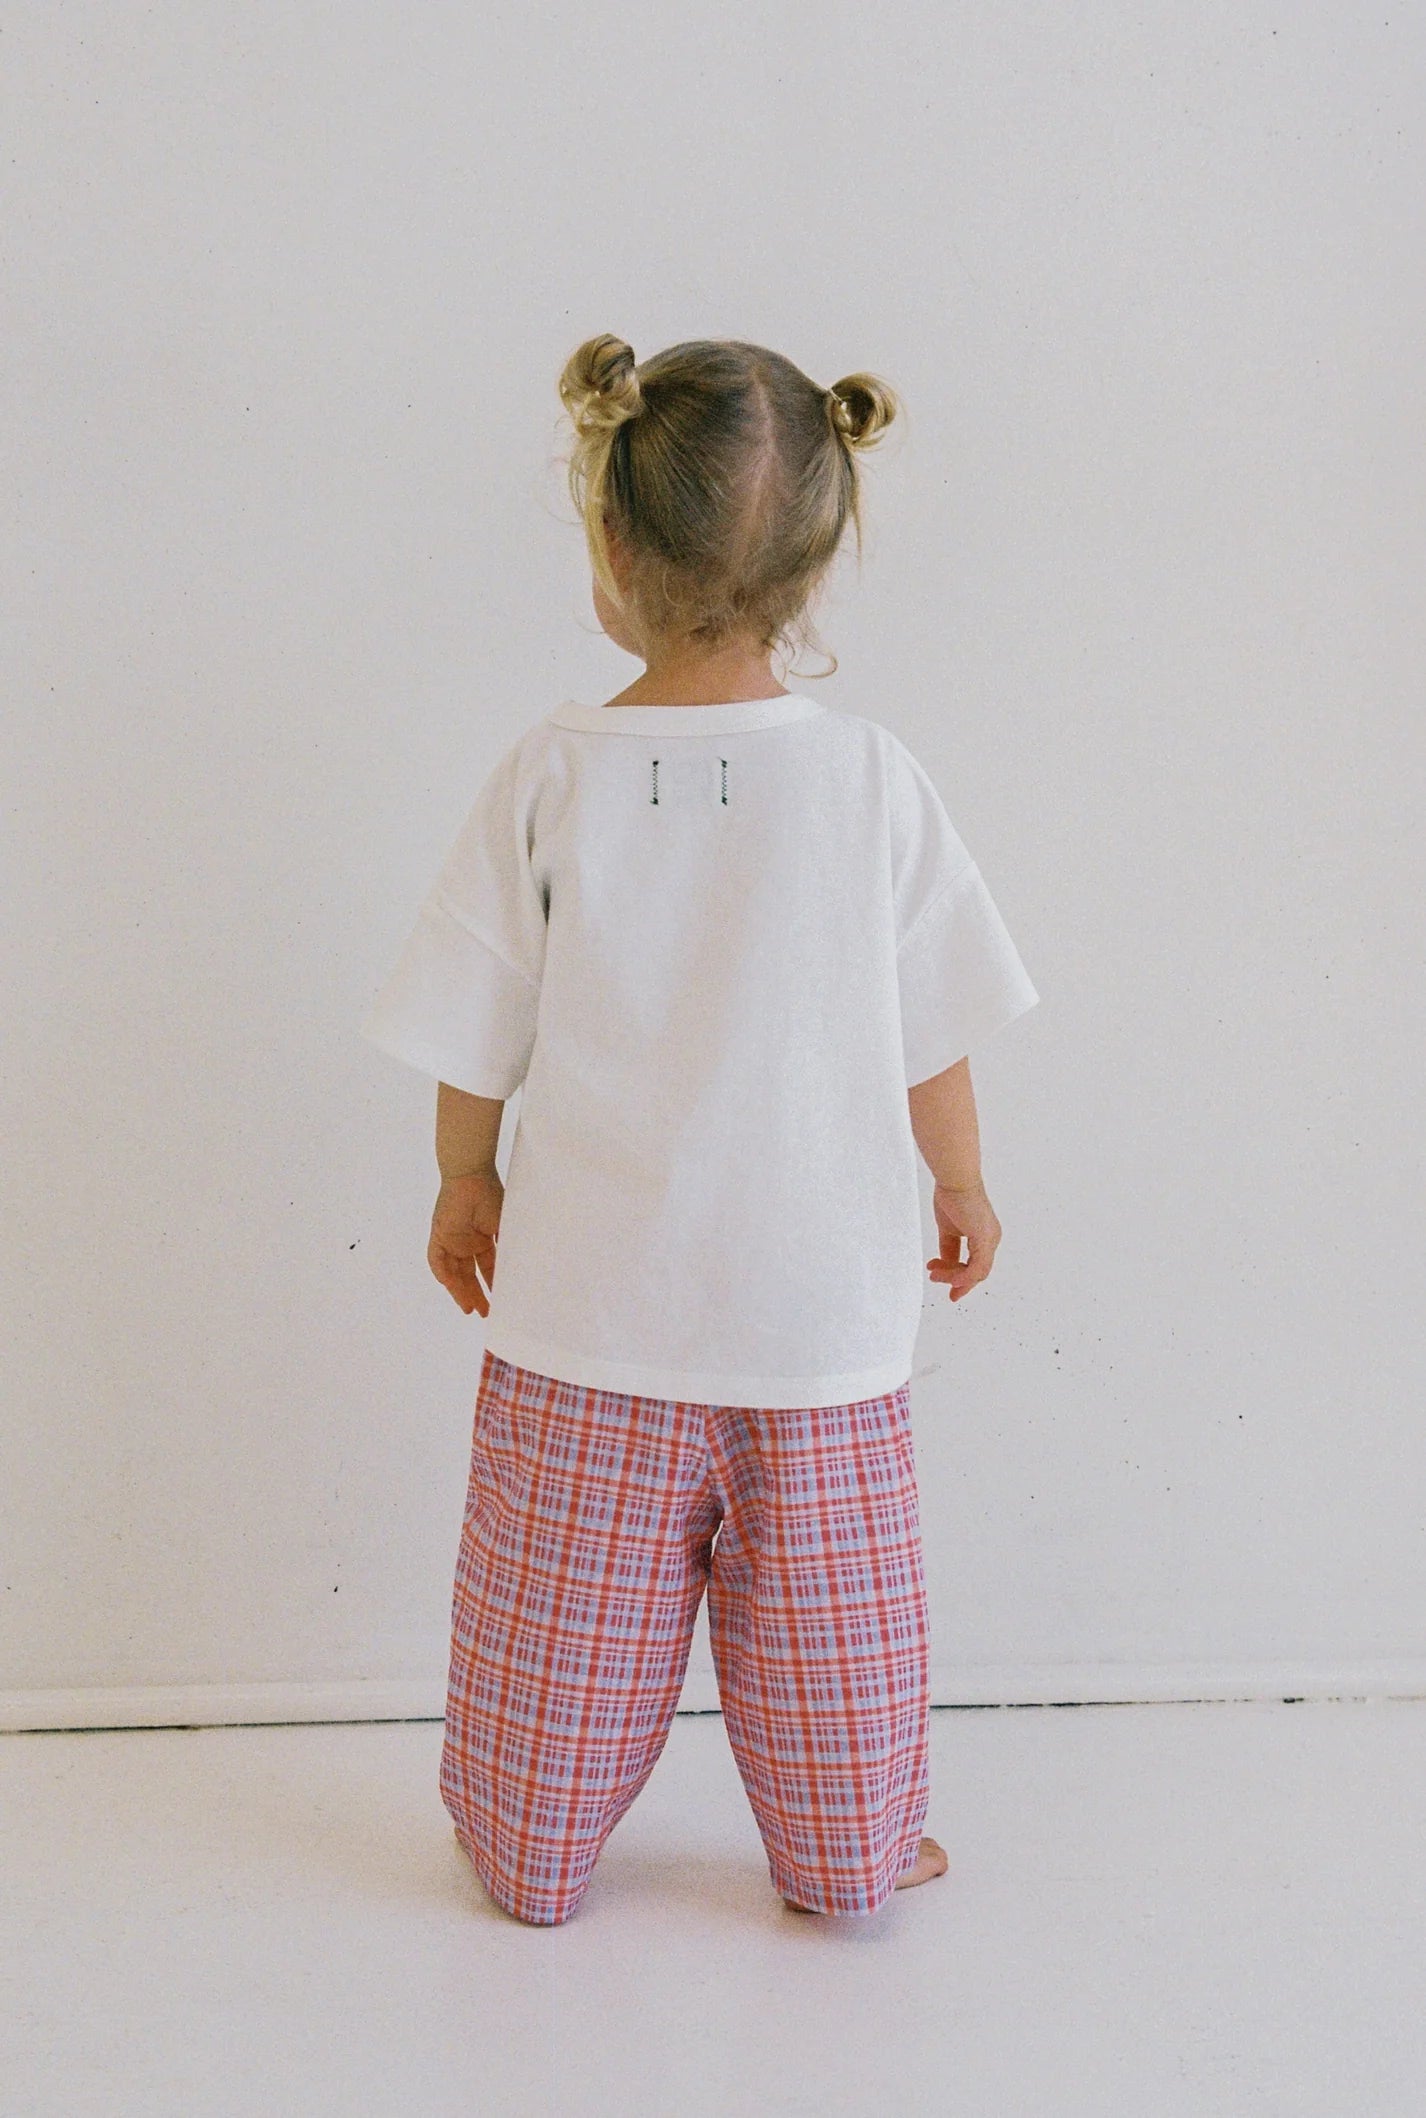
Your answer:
<point x="291" y="567"/>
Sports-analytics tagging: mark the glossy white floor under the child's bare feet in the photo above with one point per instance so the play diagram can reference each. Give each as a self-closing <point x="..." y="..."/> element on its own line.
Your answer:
<point x="1149" y="1911"/>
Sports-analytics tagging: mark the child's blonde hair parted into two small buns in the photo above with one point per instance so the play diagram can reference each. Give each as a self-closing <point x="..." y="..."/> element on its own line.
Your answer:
<point x="728" y="478"/>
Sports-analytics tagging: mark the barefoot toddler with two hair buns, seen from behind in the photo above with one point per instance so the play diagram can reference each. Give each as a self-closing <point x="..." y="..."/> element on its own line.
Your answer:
<point x="732" y="952"/>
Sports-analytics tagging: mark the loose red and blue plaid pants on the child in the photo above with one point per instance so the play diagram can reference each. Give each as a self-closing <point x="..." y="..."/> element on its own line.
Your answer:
<point x="594" y="1522"/>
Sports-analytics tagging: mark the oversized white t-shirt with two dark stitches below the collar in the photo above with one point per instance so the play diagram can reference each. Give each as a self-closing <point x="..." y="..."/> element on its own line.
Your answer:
<point x="715" y="946"/>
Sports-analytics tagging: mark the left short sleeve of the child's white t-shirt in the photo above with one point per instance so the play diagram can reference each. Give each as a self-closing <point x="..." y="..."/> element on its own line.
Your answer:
<point x="463" y="999"/>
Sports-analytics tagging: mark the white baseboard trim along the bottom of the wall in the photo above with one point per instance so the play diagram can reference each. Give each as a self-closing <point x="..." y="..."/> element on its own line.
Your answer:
<point x="955" y="1685"/>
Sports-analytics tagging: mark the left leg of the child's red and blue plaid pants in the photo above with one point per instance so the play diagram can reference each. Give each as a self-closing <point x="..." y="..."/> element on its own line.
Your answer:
<point x="584" y="1556"/>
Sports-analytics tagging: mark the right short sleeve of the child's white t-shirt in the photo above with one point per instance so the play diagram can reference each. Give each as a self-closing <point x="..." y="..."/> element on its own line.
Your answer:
<point x="957" y="967"/>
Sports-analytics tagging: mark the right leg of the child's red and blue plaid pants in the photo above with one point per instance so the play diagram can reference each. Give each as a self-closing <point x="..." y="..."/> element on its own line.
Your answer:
<point x="817" y="1611"/>
